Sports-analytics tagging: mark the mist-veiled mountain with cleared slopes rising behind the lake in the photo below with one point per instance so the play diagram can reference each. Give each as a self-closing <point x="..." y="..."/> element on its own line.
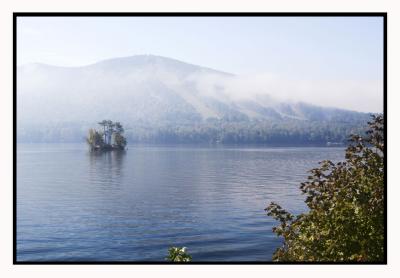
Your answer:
<point x="155" y="97"/>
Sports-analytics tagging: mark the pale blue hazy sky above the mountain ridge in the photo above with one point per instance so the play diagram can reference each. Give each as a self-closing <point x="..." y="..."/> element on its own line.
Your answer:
<point x="342" y="53"/>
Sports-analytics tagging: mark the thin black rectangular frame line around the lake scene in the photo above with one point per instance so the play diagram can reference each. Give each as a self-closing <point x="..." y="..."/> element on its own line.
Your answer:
<point x="189" y="14"/>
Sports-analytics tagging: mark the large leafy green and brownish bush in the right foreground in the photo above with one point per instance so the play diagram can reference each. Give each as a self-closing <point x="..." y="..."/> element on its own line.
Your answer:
<point x="345" y="221"/>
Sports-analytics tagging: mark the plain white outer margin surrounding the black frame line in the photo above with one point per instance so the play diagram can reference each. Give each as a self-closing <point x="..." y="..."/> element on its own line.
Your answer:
<point x="7" y="7"/>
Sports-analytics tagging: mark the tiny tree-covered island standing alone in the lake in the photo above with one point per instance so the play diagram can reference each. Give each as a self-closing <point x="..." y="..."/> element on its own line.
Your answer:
<point x="108" y="139"/>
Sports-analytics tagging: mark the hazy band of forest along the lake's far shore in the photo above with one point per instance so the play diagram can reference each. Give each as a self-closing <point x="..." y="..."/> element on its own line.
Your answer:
<point x="210" y="132"/>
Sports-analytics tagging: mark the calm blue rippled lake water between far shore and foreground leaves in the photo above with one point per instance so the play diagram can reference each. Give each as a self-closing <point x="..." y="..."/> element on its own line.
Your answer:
<point x="73" y="205"/>
